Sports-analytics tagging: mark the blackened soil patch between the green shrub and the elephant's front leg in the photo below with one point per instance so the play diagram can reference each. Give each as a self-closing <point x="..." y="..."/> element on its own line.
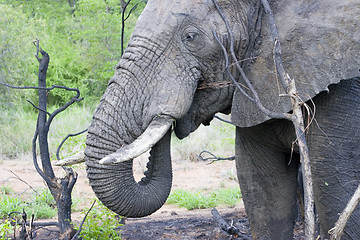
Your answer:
<point x="193" y="225"/>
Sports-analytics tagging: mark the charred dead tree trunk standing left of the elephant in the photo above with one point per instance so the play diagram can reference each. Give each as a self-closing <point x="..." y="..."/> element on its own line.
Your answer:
<point x="60" y="188"/>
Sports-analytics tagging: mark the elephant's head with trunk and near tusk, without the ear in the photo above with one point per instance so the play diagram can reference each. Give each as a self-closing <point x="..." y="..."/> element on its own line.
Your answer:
<point x="166" y="75"/>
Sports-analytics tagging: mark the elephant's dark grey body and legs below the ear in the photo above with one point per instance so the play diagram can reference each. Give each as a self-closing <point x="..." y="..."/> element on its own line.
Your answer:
<point x="267" y="165"/>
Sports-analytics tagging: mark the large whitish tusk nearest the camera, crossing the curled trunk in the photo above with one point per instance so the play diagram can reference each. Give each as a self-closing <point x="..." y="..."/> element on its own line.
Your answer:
<point x="154" y="132"/>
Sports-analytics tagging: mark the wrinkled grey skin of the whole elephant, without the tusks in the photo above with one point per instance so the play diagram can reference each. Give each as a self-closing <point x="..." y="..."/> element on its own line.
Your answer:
<point x="172" y="55"/>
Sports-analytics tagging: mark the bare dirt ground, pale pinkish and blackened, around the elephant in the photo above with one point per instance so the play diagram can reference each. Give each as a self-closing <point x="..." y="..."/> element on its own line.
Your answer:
<point x="170" y="221"/>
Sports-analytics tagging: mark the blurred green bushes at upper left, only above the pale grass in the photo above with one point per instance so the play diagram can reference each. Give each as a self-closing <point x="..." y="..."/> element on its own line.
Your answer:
<point x="82" y="38"/>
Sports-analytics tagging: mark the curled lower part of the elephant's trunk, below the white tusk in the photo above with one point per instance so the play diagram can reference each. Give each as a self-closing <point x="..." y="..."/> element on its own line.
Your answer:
<point x="115" y="185"/>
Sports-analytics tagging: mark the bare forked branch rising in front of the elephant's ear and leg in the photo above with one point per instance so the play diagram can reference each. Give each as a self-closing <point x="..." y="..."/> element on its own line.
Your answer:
<point x="296" y="117"/>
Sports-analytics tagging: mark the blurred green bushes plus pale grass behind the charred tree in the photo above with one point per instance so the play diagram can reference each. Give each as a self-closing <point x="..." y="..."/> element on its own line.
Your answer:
<point x="82" y="38"/>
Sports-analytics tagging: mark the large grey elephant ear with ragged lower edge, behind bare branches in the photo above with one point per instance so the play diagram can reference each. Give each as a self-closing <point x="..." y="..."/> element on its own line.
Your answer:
<point x="320" y="43"/>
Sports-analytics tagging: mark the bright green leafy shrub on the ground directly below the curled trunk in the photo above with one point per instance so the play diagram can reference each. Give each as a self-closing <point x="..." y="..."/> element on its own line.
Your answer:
<point x="101" y="223"/>
